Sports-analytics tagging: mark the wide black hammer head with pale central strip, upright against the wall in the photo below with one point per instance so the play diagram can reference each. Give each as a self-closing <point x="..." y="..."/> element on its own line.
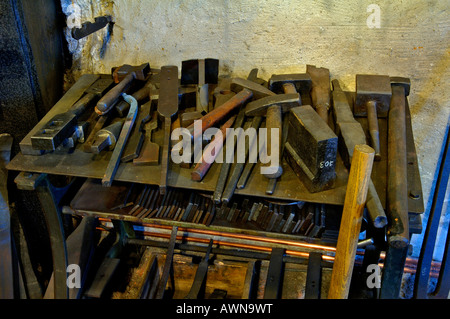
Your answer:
<point x="199" y="71"/>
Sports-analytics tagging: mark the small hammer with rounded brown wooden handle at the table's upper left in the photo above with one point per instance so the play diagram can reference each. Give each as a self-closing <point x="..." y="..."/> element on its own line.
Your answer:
<point x="123" y="76"/>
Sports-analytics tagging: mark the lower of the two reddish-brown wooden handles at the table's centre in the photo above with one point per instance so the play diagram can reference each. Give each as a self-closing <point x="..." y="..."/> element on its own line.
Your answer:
<point x="211" y="151"/>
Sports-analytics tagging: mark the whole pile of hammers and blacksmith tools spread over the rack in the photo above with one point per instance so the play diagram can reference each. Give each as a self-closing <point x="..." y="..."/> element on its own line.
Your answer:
<point x="314" y="117"/>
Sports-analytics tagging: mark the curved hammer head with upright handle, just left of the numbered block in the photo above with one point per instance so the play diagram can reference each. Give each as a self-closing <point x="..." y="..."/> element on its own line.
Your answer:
<point x="260" y="106"/>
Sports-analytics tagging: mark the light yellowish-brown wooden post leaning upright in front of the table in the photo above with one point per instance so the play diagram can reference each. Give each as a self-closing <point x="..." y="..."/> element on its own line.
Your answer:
<point x="355" y="199"/>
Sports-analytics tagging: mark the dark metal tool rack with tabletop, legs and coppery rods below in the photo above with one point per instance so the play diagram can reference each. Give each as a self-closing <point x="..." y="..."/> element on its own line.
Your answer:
<point x="83" y="172"/>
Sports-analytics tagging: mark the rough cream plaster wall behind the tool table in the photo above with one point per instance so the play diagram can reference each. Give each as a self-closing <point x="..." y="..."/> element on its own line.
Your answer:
<point x="284" y="36"/>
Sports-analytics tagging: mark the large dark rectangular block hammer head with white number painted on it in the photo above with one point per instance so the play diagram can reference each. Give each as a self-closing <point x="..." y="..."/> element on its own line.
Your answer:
<point x="311" y="149"/>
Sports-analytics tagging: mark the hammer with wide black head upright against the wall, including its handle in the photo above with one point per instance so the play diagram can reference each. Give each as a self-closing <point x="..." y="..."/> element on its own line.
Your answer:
<point x="201" y="72"/>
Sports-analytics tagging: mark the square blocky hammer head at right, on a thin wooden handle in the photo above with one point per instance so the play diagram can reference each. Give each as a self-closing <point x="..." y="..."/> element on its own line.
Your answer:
<point x="375" y="88"/>
